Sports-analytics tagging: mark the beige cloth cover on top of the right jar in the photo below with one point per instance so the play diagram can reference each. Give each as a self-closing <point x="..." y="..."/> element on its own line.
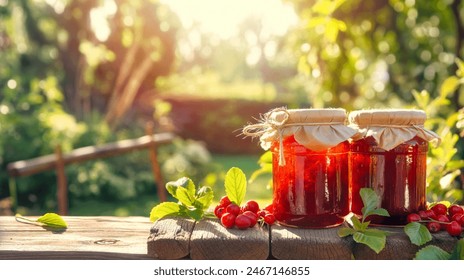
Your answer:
<point x="391" y="127"/>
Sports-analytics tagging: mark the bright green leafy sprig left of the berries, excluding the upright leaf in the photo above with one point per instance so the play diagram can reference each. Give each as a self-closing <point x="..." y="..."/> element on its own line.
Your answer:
<point x="192" y="202"/>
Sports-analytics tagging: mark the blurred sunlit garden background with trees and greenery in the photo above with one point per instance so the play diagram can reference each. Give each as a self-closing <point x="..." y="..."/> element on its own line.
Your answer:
<point x="78" y="73"/>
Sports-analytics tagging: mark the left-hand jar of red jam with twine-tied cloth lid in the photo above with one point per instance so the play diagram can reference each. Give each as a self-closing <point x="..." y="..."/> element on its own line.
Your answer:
<point x="310" y="165"/>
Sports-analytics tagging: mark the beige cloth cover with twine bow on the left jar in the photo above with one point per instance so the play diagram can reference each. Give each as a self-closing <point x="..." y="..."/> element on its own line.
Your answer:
<point x="315" y="129"/>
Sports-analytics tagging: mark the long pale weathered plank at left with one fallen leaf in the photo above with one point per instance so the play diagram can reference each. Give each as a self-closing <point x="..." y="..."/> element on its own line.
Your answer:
<point x="85" y="238"/>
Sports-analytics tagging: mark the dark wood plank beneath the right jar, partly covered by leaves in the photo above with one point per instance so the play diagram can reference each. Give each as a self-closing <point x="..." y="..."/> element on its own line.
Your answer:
<point x="399" y="247"/>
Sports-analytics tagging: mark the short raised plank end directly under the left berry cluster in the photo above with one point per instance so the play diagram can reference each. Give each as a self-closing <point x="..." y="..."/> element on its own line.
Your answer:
<point x="211" y="241"/>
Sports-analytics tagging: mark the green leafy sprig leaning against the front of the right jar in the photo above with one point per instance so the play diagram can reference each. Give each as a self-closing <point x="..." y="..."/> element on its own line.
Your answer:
<point x="360" y="230"/>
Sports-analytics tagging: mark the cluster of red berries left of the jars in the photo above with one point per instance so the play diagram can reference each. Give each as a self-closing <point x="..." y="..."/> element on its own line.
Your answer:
<point x="242" y="217"/>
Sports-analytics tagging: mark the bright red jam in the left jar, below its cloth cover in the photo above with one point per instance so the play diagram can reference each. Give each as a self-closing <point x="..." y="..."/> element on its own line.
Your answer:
<point x="311" y="189"/>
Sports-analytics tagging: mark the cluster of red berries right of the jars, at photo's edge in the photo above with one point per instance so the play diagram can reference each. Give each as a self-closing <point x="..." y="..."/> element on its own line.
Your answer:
<point x="439" y="217"/>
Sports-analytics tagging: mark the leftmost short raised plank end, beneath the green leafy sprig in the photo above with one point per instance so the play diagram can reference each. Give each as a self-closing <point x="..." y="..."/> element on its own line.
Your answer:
<point x="169" y="238"/>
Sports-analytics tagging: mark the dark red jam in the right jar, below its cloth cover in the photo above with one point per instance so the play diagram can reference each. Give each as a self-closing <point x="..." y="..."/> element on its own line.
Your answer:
<point x="398" y="176"/>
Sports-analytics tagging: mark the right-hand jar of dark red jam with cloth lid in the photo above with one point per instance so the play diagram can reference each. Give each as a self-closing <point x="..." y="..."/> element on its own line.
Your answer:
<point x="389" y="155"/>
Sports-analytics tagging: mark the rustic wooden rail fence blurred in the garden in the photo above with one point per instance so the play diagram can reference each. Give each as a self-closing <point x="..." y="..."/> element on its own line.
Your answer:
<point x="59" y="160"/>
